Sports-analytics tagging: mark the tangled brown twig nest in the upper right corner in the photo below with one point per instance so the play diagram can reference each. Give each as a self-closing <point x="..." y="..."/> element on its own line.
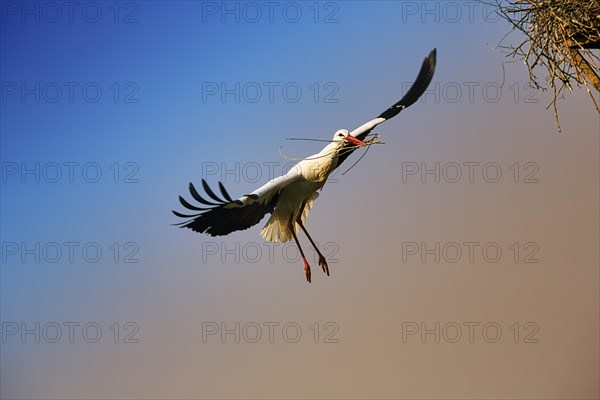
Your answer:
<point x="560" y="37"/>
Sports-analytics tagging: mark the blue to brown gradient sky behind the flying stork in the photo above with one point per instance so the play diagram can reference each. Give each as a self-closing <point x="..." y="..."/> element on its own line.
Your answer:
<point x="114" y="107"/>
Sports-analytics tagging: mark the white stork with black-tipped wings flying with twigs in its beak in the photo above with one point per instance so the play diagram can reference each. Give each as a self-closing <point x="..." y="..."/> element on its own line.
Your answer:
<point x="289" y="198"/>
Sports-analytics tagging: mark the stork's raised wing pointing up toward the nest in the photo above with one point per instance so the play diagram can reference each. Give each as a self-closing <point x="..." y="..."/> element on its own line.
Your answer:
<point x="416" y="90"/>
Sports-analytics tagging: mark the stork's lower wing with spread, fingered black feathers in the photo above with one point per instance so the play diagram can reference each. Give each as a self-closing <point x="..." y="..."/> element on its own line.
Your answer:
<point x="220" y="216"/>
